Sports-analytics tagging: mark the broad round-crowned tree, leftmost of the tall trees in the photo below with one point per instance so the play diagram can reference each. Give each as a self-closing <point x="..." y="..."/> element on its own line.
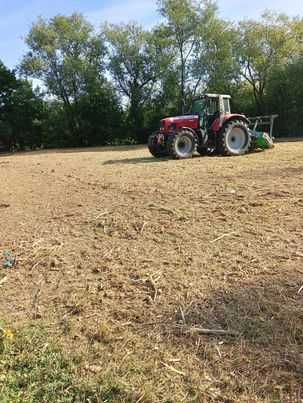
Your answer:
<point x="66" y="54"/>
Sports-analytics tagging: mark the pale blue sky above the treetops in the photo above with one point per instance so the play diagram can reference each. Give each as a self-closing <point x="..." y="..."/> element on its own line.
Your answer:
<point x="16" y="16"/>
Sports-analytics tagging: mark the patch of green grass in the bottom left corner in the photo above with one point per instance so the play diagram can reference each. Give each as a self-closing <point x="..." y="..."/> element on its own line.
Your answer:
<point x="33" y="369"/>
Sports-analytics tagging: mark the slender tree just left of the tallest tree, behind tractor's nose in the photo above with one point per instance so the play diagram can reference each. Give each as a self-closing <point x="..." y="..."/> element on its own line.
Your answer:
<point x="134" y="64"/>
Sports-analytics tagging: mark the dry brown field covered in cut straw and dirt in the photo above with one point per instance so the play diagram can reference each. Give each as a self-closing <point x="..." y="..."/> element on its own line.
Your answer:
<point x="125" y="258"/>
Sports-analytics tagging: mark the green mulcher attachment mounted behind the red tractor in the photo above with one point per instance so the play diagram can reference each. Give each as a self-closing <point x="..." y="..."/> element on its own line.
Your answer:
<point x="262" y="140"/>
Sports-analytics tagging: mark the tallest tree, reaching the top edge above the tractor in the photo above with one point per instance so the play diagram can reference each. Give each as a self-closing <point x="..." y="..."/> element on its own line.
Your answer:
<point x="195" y="34"/>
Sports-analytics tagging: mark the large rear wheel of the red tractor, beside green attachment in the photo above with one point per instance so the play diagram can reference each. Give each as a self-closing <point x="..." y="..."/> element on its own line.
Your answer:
<point x="234" y="139"/>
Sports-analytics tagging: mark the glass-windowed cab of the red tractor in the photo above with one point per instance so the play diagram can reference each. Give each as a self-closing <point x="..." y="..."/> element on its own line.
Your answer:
<point x="209" y="107"/>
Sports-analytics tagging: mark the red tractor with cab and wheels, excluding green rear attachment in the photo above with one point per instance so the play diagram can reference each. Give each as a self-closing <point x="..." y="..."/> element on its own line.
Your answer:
<point x="210" y="128"/>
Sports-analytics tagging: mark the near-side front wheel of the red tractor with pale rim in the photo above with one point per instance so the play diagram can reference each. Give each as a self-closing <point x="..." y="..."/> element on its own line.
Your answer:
<point x="181" y="145"/>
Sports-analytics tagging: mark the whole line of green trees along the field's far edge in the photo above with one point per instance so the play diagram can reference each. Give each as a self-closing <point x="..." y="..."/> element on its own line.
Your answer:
<point x="114" y="84"/>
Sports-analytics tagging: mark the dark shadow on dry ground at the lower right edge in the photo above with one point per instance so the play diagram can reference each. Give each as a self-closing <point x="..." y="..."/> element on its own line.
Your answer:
<point x="270" y="314"/>
